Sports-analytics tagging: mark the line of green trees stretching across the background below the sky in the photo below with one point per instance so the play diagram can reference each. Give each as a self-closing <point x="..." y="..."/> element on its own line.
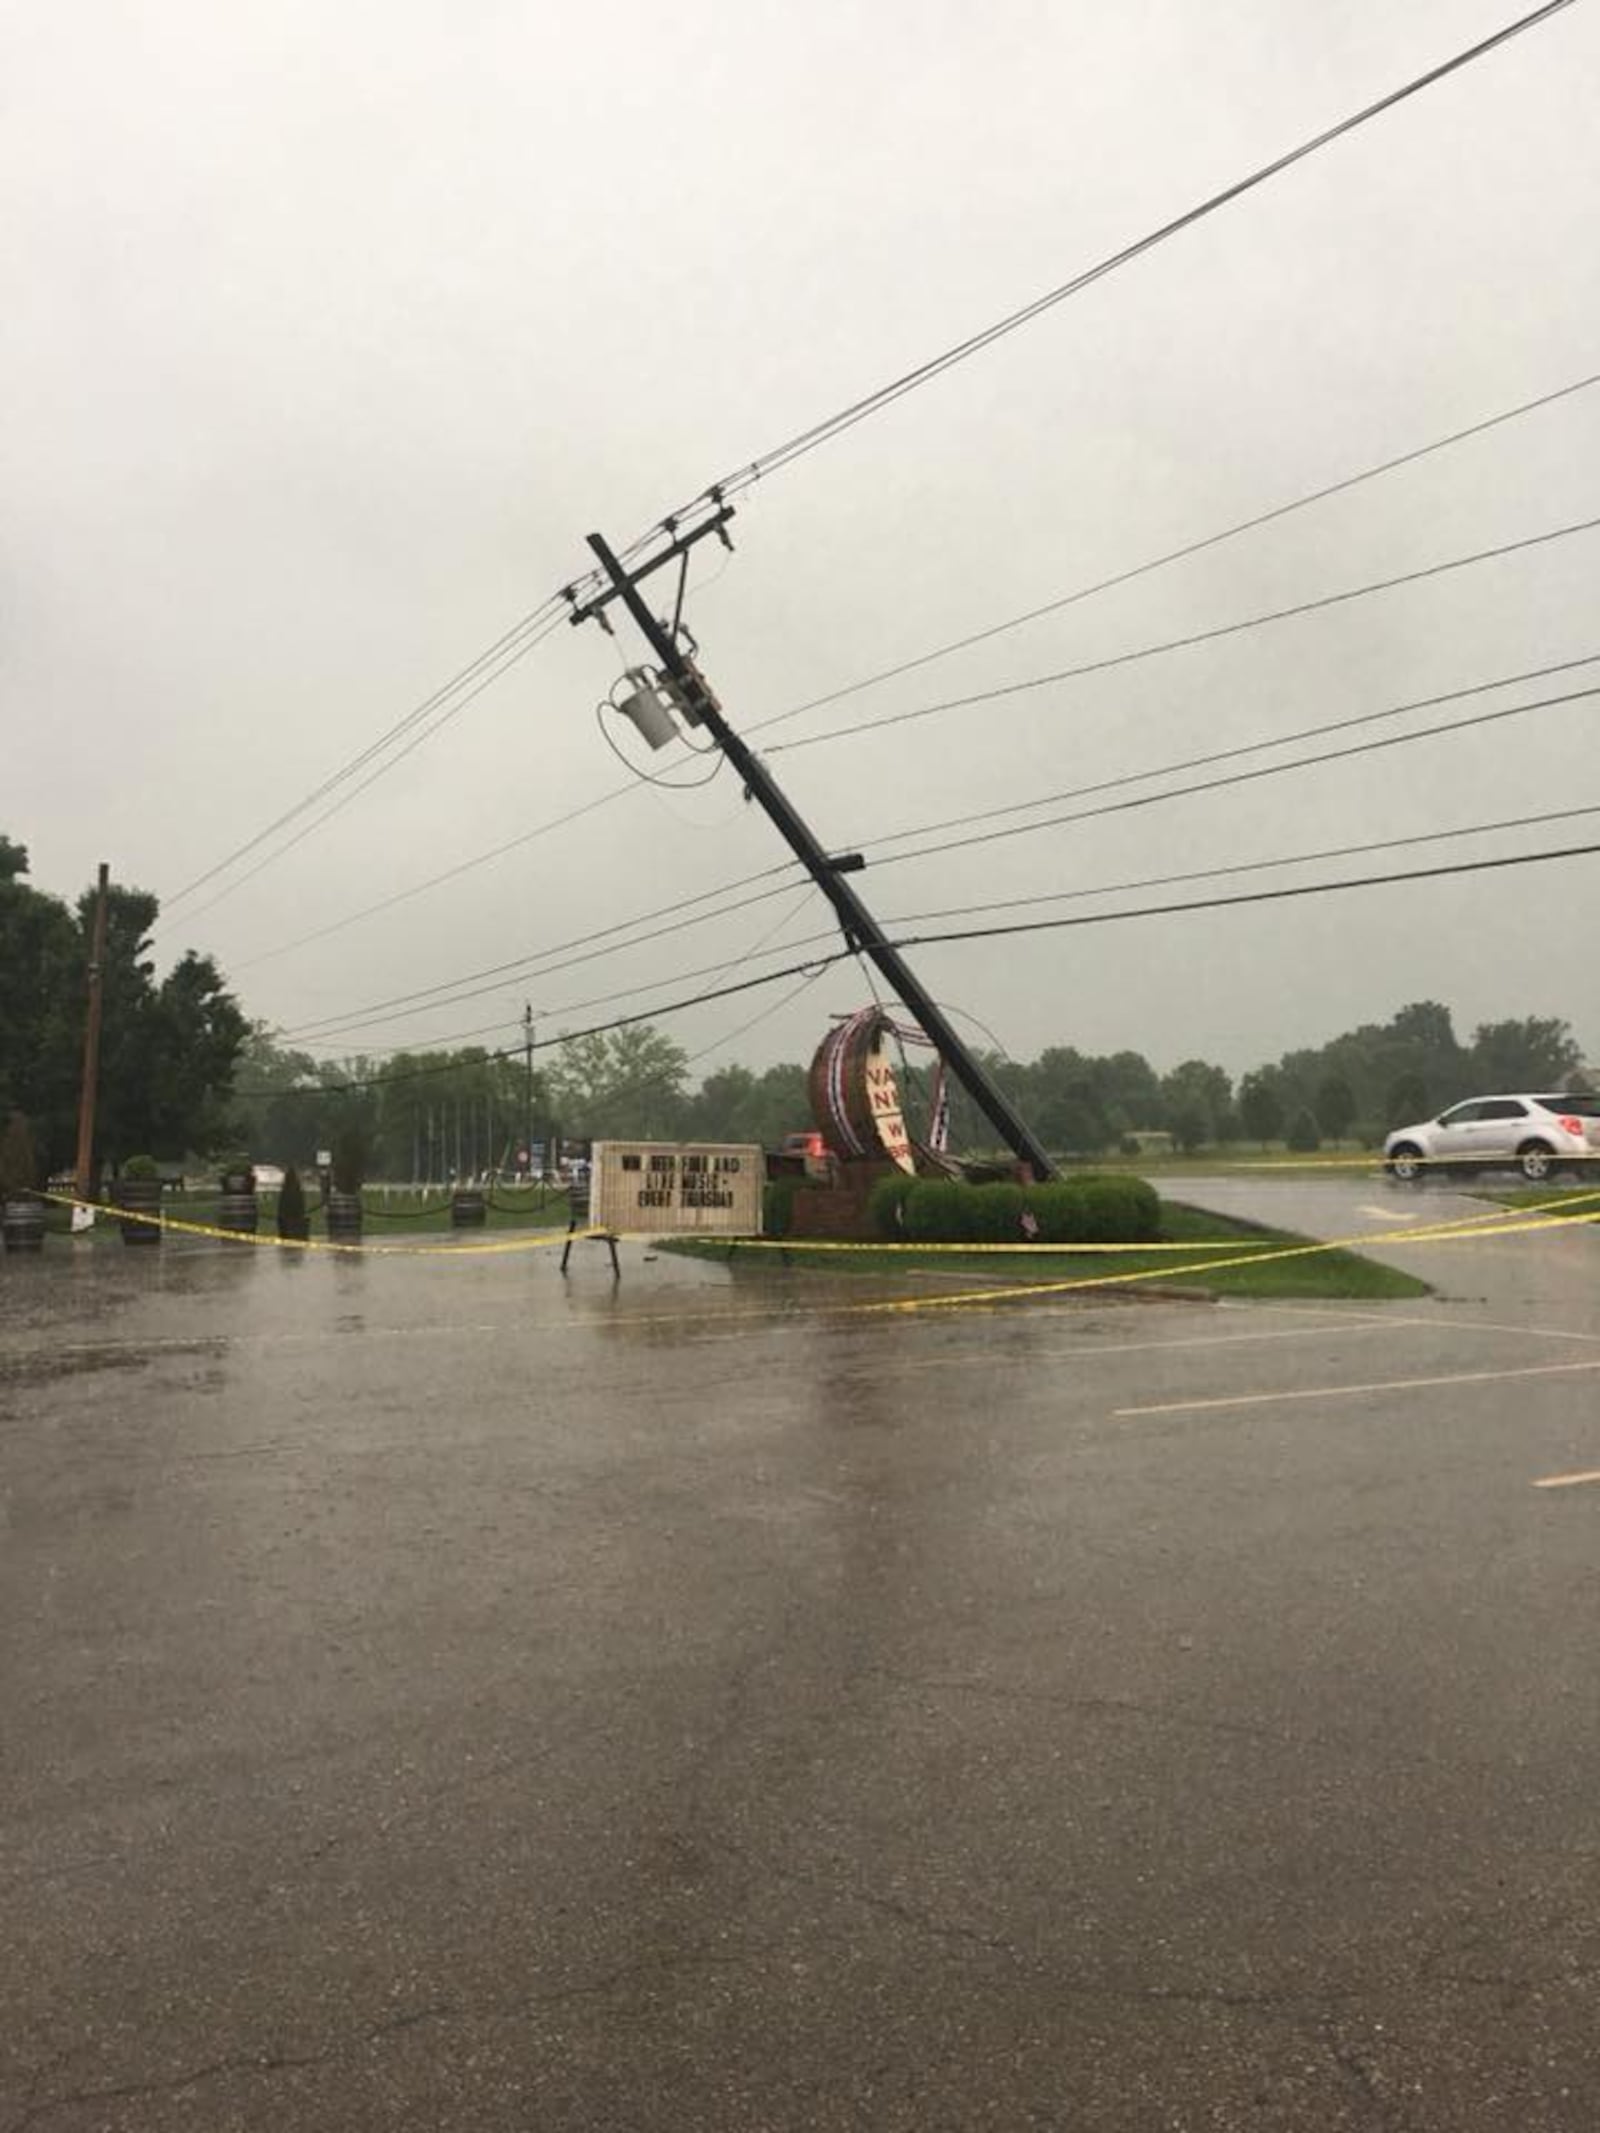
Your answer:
<point x="185" y="1074"/>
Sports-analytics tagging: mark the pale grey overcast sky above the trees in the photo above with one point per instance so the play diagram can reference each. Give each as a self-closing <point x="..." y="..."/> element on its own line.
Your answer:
<point x="334" y="330"/>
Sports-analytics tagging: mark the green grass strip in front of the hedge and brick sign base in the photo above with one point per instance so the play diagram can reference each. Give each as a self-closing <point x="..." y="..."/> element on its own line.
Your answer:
<point x="1315" y="1274"/>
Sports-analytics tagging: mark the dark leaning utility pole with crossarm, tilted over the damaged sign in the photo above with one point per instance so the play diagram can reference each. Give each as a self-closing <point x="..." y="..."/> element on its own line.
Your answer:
<point x="863" y="931"/>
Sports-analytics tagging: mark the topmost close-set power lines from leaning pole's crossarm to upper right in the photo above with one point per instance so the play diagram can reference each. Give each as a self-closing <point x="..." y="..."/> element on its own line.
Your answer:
<point x="869" y="404"/>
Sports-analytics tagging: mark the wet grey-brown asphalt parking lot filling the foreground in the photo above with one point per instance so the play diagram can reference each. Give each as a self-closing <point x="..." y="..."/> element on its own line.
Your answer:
<point x="438" y="1695"/>
